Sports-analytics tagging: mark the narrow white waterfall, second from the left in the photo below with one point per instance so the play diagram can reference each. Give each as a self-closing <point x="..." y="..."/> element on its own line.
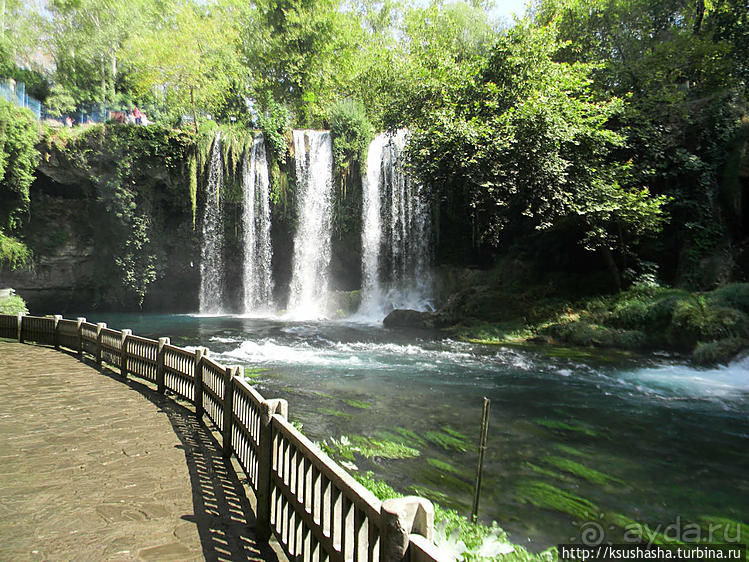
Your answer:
<point x="258" y="284"/>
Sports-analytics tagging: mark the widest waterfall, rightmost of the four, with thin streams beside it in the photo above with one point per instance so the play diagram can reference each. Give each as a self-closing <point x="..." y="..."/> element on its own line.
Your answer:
<point x="395" y="234"/>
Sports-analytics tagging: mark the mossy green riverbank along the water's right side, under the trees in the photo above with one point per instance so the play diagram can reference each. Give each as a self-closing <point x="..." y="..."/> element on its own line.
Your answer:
<point x="708" y="327"/>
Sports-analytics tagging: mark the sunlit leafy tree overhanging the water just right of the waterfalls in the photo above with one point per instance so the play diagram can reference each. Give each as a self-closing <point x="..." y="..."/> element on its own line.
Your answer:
<point x="527" y="146"/>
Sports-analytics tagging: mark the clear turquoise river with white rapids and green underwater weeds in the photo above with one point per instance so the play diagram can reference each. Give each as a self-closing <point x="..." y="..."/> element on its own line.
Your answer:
<point x="579" y="441"/>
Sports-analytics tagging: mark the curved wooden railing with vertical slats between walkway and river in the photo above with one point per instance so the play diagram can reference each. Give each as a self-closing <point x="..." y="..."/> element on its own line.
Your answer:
<point x="316" y="510"/>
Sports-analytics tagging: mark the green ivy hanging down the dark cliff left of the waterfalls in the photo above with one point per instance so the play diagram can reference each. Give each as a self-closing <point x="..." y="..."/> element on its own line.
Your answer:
<point x="127" y="171"/>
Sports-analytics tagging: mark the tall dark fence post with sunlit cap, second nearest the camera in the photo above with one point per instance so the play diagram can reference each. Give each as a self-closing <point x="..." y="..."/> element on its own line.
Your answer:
<point x="268" y="408"/>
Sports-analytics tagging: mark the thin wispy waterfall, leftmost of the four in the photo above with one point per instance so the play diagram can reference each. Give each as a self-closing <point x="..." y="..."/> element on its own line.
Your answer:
<point x="212" y="250"/>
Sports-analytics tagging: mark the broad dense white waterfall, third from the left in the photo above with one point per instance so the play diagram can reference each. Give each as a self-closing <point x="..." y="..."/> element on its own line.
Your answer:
<point x="314" y="171"/>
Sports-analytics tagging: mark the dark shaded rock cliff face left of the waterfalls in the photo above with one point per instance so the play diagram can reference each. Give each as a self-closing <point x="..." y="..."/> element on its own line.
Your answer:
<point x="78" y="235"/>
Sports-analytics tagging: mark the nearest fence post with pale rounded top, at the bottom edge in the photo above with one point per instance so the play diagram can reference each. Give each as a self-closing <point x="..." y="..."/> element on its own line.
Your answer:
<point x="400" y="517"/>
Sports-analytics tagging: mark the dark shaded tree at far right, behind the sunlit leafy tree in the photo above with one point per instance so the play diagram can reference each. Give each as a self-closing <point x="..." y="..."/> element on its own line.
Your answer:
<point x="681" y="68"/>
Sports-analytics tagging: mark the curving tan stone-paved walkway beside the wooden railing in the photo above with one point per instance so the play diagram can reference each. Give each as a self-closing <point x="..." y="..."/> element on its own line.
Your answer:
<point x="96" y="468"/>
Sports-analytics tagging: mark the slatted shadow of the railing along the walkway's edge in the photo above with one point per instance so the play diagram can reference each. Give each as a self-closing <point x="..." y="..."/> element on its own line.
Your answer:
<point x="221" y="509"/>
